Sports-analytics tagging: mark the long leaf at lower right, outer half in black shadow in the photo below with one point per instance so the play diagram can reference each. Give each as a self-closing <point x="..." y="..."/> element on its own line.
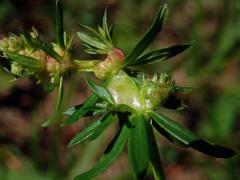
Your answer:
<point x="189" y="139"/>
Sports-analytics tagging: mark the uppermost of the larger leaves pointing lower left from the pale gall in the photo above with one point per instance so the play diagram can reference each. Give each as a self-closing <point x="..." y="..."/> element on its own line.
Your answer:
<point x="76" y="115"/>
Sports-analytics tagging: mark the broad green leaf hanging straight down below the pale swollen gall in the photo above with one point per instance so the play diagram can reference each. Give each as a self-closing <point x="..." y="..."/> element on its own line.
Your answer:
<point x="138" y="147"/>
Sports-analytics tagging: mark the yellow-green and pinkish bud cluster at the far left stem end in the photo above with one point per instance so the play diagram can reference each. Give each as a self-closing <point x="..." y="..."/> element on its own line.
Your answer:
<point x="43" y="67"/>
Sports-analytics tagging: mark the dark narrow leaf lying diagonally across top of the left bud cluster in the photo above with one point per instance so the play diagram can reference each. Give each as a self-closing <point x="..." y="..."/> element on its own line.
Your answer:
<point x="38" y="44"/>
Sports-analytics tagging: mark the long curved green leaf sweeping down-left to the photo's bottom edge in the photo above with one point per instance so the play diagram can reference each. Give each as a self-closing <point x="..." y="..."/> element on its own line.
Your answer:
<point x="108" y="158"/>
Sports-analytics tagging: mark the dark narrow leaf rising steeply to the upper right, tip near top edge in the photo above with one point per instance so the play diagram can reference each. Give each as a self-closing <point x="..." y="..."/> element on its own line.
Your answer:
<point x="147" y="39"/>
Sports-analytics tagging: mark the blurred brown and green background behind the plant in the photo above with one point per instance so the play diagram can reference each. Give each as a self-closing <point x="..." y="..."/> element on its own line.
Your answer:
<point x="211" y="65"/>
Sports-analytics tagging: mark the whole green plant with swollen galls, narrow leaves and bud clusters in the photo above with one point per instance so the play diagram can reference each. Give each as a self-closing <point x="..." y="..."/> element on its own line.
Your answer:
<point x="128" y="96"/>
